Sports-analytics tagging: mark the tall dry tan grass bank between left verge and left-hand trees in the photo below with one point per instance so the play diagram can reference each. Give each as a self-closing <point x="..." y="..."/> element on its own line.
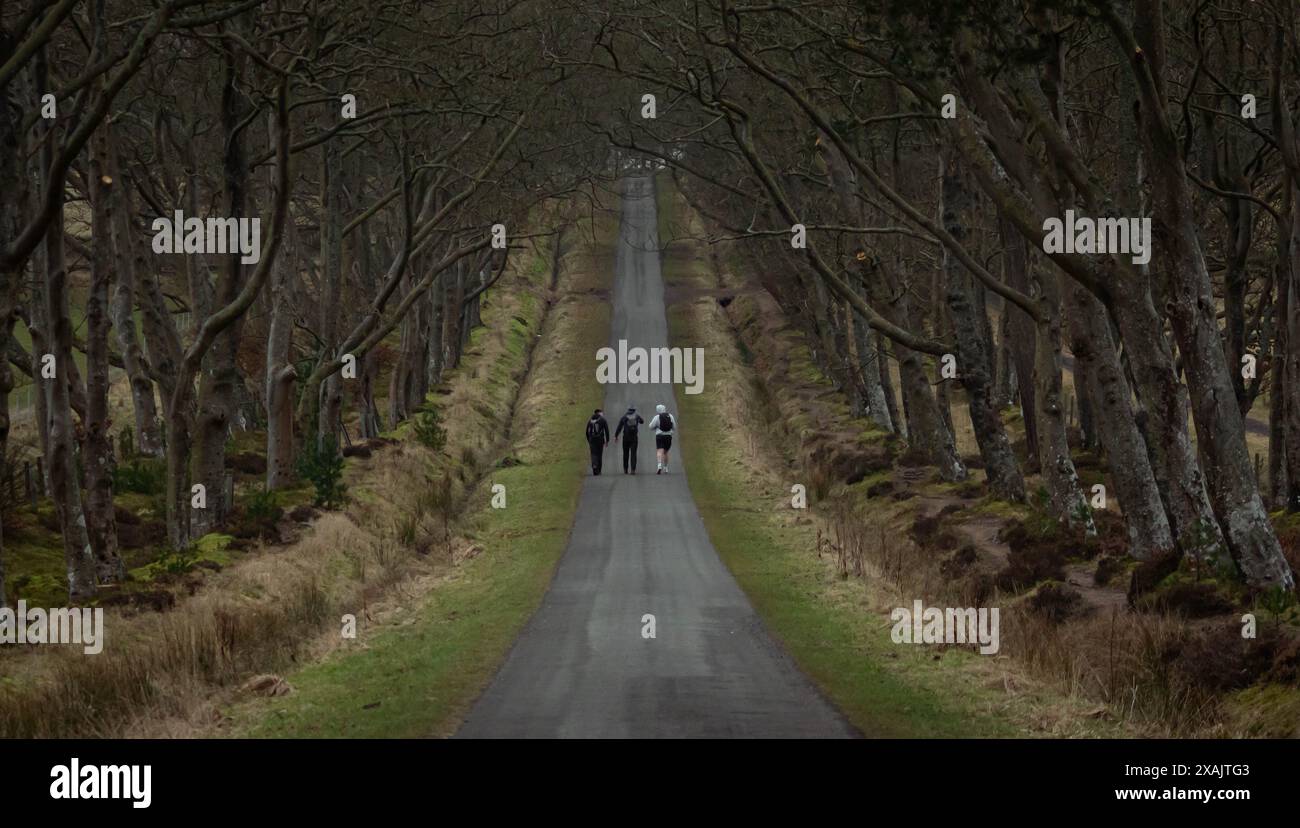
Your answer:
<point x="168" y="674"/>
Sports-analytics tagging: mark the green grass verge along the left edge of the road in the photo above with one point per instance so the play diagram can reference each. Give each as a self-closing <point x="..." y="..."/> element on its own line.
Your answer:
<point x="419" y="679"/>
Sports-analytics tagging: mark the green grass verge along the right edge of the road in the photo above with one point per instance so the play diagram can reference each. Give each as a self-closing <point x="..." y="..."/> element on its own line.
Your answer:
<point x="826" y="625"/>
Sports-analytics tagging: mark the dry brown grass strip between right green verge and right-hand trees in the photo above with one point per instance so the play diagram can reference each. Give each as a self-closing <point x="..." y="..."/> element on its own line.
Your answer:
<point x="1137" y="670"/>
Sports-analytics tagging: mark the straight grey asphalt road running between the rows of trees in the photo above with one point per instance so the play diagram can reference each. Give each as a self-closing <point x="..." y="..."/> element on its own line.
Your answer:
<point x="582" y="667"/>
